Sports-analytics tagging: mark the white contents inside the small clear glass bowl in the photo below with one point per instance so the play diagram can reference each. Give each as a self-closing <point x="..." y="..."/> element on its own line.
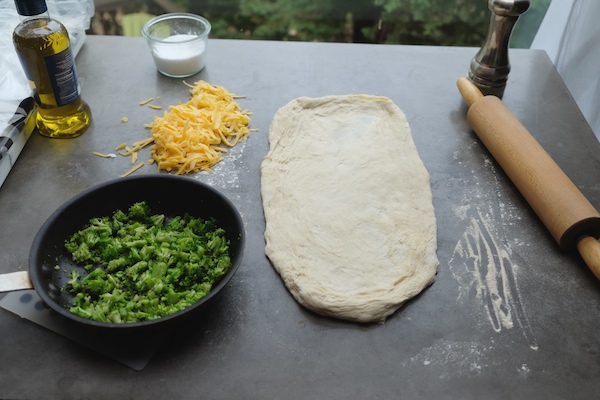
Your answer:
<point x="180" y="60"/>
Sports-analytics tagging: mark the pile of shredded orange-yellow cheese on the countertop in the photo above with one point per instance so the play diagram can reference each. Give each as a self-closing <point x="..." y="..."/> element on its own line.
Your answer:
<point x="191" y="137"/>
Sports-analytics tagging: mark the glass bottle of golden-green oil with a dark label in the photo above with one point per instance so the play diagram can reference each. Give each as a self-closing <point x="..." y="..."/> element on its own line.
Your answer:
<point x="43" y="47"/>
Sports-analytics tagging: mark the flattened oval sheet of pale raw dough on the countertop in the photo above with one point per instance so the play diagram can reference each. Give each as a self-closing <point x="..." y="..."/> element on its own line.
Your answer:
<point x="350" y="224"/>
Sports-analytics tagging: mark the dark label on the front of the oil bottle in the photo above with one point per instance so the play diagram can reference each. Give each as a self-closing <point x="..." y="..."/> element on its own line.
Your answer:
<point x="63" y="76"/>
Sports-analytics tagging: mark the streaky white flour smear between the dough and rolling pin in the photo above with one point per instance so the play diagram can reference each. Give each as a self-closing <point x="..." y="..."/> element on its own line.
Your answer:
<point x="482" y="264"/>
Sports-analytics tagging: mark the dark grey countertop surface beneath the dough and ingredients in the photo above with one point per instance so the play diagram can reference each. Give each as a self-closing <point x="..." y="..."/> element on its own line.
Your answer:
<point x="509" y="316"/>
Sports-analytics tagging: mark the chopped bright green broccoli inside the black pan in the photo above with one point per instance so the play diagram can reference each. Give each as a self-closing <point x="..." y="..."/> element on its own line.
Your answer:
<point x="144" y="267"/>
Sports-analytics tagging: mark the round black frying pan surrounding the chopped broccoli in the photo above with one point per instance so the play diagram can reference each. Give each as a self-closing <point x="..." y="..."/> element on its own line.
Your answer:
<point x="165" y="194"/>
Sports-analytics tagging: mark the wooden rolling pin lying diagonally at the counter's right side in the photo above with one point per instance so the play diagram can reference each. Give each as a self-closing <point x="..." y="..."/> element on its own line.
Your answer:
<point x="564" y="210"/>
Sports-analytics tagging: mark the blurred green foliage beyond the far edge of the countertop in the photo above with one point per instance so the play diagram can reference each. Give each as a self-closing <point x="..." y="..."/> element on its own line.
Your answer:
<point x="425" y="22"/>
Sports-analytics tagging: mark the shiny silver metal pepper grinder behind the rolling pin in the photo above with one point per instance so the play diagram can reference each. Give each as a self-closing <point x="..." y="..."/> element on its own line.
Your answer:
<point x="490" y="67"/>
